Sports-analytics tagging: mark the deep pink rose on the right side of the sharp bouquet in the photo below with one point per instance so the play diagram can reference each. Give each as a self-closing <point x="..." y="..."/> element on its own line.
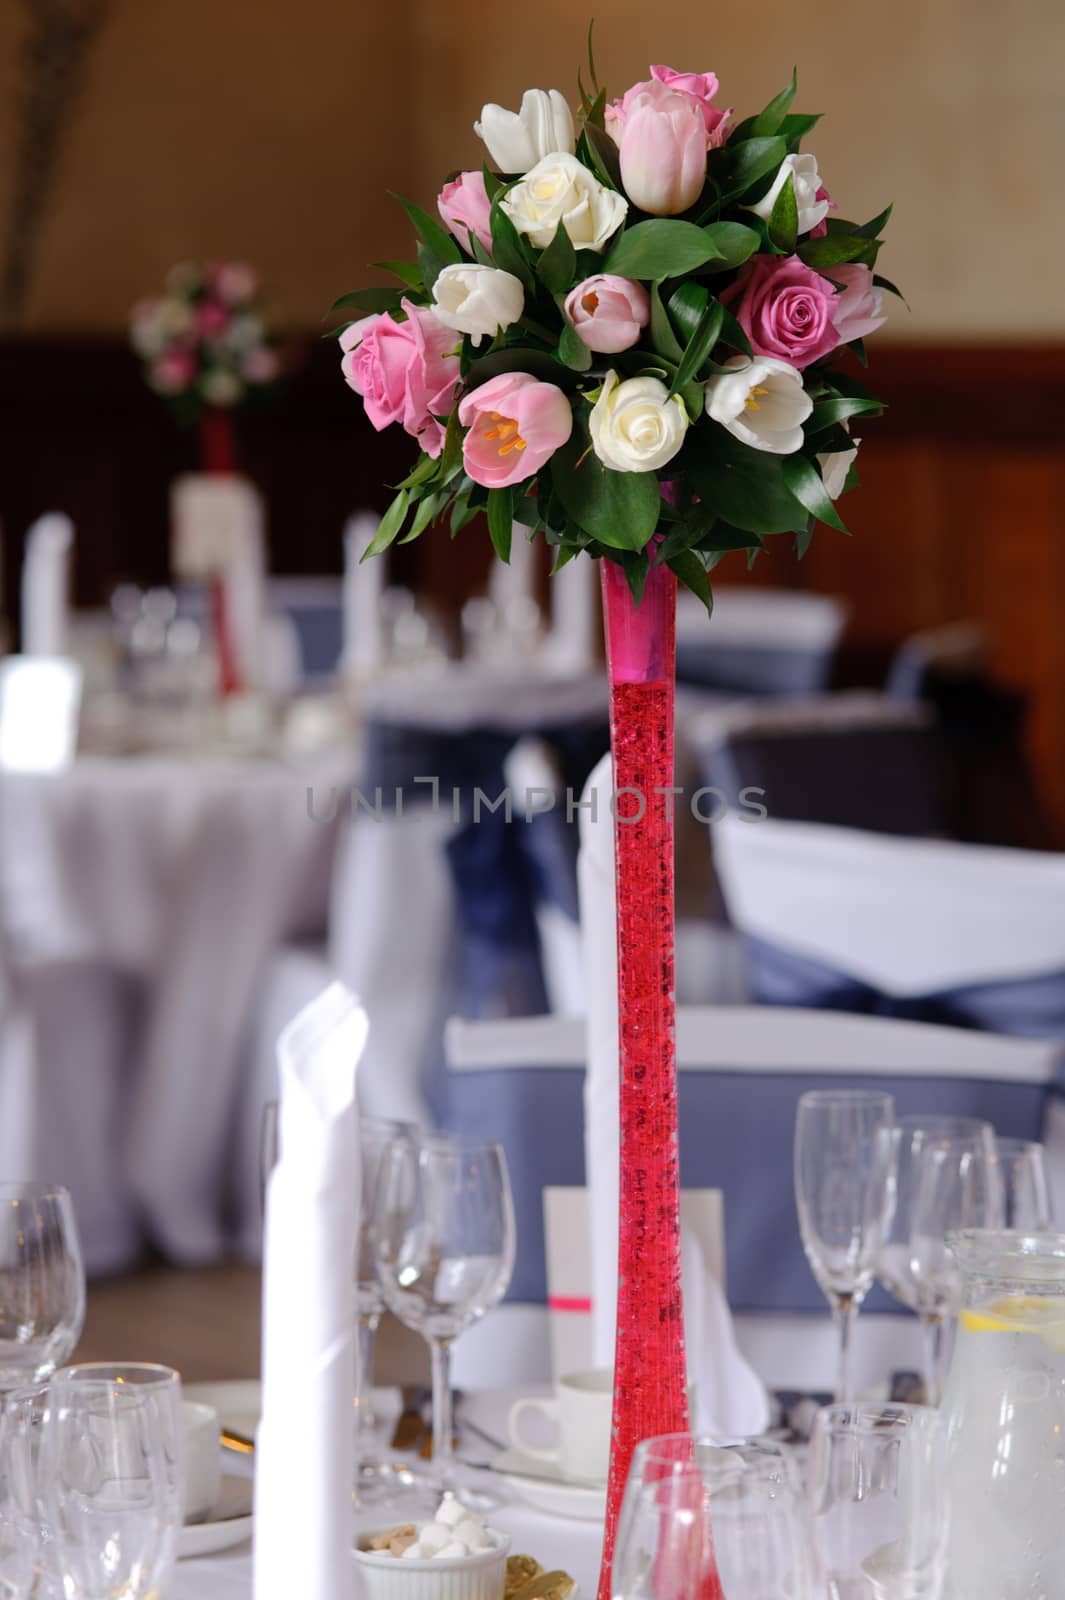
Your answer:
<point x="783" y="308"/>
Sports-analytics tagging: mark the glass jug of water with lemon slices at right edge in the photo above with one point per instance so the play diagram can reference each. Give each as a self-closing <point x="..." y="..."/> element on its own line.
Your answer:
<point x="1005" y="1406"/>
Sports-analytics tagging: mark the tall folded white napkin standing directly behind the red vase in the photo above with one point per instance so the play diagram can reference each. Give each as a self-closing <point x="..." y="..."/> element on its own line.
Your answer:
<point x="732" y="1399"/>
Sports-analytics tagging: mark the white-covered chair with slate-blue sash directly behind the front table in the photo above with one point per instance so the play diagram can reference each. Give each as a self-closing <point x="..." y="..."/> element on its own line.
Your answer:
<point x="741" y="1071"/>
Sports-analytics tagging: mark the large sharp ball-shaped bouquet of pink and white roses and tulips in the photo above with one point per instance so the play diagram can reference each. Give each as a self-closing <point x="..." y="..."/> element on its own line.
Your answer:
<point x="624" y="334"/>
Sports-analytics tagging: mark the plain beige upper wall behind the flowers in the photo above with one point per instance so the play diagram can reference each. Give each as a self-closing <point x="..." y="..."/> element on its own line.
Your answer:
<point x="271" y="130"/>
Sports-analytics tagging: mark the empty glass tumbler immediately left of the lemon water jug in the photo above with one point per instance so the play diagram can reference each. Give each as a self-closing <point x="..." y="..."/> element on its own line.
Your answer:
<point x="879" y="1502"/>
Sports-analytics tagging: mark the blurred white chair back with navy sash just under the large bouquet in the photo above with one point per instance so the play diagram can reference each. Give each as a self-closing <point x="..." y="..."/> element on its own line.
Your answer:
<point x="764" y="642"/>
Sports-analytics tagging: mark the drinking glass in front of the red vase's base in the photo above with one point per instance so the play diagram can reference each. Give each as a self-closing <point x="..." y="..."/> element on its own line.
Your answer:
<point x="712" y="1518"/>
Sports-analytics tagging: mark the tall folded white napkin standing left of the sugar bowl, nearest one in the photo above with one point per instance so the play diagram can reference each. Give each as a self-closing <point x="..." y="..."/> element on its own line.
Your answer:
<point x="305" y="1450"/>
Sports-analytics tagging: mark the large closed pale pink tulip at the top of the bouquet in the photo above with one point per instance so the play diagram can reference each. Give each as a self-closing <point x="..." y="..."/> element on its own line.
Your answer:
<point x="664" y="151"/>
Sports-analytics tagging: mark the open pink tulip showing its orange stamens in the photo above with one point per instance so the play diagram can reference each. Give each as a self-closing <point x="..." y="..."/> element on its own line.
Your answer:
<point x="516" y="425"/>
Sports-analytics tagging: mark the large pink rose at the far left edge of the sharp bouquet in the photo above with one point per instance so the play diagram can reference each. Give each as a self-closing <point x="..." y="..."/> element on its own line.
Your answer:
<point x="405" y="372"/>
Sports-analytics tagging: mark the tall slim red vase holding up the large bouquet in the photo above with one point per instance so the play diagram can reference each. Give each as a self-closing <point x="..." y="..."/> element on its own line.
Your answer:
<point x="650" y="1369"/>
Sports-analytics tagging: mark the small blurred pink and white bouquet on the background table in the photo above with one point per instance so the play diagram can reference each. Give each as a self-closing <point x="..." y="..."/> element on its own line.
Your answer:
<point x="205" y="342"/>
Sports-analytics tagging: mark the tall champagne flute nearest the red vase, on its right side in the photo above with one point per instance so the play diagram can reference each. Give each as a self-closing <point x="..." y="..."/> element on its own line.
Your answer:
<point x="845" y="1196"/>
